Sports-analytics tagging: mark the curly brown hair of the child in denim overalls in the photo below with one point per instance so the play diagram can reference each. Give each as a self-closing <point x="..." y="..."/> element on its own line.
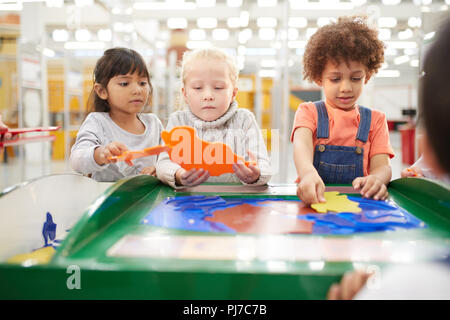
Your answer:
<point x="348" y="39"/>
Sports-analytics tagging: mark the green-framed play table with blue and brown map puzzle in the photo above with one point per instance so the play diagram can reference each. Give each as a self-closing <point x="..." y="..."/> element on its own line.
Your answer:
<point x="69" y="237"/>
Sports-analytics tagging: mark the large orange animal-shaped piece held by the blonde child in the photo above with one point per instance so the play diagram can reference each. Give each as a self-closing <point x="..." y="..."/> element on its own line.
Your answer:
<point x="190" y="152"/>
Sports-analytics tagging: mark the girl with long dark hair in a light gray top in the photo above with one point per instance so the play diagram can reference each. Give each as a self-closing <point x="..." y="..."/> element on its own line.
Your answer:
<point x="115" y="122"/>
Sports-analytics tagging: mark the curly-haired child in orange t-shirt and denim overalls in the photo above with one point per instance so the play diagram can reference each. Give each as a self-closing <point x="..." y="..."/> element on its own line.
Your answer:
<point x="337" y="141"/>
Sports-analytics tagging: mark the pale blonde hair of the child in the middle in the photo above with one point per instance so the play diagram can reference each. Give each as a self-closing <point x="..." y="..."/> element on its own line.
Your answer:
<point x="210" y="53"/>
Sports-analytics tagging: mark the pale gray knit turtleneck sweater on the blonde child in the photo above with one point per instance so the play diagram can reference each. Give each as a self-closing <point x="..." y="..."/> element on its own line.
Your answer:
<point x="237" y="128"/>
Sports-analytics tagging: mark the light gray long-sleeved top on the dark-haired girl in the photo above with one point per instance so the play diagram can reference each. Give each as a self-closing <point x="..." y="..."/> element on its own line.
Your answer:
<point x="99" y="130"/>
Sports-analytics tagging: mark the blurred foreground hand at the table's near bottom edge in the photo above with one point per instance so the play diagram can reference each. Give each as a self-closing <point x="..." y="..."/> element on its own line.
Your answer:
<point x="350" y="285"/>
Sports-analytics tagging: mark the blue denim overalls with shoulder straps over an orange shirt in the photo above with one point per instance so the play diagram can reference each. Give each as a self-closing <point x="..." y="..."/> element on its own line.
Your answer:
<point x="340" y="164"/>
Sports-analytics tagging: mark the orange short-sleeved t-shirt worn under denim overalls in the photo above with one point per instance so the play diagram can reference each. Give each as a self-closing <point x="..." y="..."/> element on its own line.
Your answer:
<point x="343" y="127"/>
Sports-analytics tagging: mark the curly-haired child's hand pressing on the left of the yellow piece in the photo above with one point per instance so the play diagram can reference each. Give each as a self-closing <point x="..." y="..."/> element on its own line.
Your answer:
<point x="311" y="188"/>
